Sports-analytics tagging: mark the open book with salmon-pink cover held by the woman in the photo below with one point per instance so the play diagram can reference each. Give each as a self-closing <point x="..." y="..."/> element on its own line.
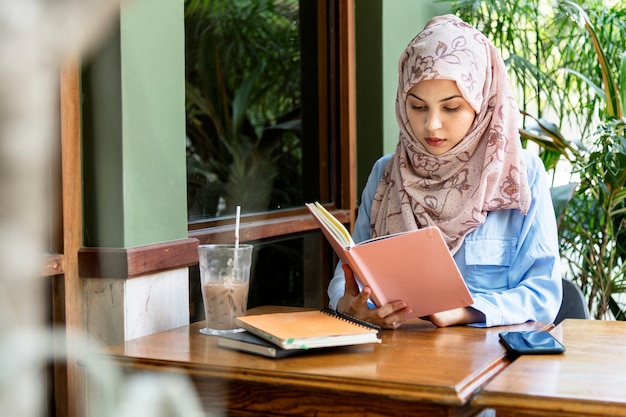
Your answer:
<point x="415" y="266"/>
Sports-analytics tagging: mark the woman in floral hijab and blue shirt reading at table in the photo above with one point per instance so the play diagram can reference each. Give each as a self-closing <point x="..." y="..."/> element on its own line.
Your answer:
<point x="459" y="165"/>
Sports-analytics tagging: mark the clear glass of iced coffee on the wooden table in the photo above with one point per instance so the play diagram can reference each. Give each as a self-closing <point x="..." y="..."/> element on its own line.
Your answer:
<point x="225" y="277"/>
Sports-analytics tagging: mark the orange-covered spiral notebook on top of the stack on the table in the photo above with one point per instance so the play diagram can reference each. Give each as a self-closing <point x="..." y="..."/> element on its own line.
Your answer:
<point x="311" y="329"/>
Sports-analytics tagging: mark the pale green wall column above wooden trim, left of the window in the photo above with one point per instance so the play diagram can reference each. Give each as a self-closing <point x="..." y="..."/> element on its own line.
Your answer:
<point x="134" y="138"/>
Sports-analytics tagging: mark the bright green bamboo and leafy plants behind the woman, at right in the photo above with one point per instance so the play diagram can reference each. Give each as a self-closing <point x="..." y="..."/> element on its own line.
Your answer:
<point x="569" y="64"/>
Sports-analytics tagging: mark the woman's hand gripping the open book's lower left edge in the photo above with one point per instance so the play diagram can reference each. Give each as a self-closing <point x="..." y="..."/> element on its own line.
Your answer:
<point x="354" y="303"/>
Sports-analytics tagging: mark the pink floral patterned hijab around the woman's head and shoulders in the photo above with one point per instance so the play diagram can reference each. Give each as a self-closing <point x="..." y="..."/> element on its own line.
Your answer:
<point x="484" y="172"/>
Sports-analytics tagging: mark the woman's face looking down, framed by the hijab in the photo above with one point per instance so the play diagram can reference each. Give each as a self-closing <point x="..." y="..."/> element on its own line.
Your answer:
<point x="438" y="114"/>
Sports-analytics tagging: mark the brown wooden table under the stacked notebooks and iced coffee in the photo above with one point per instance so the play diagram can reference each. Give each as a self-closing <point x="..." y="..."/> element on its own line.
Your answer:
<point x="417" y="370"/>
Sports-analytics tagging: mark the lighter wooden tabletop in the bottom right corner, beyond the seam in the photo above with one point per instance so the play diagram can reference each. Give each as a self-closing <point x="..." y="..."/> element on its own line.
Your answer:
<point x="589" y="379"/>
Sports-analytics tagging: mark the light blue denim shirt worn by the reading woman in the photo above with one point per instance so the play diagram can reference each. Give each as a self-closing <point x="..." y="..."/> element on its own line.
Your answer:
<point x="511" y="263"/>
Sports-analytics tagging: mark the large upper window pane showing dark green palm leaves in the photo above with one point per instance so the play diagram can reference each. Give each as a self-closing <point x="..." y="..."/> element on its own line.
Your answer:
<point x="243" y="106"/>
